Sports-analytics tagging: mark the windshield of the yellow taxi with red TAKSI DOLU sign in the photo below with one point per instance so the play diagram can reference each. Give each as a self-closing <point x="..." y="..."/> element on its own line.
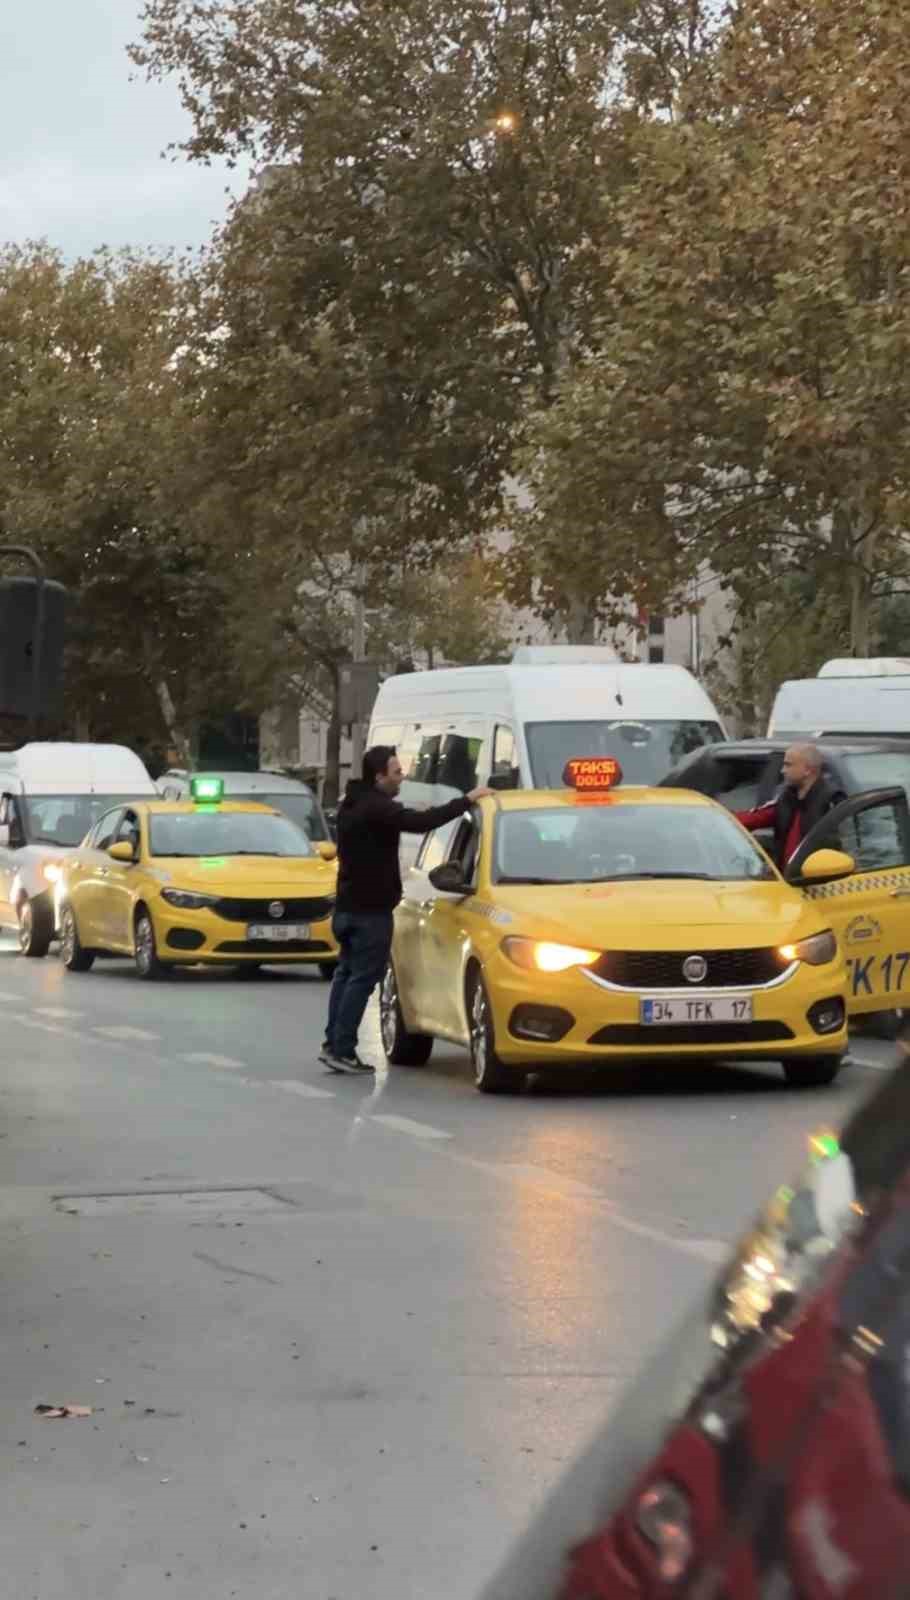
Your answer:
<point x="615" y="842"/>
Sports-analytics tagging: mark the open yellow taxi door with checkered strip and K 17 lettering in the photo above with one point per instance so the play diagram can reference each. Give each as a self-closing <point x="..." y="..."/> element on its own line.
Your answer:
<point x="871" y="910"/>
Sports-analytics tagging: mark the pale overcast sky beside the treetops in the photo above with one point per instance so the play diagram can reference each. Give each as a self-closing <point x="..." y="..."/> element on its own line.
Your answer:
<point x="81" y="145"/>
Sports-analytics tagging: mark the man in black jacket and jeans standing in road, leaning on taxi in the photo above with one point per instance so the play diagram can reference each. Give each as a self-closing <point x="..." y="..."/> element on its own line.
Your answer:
<point x="370" y="826"/>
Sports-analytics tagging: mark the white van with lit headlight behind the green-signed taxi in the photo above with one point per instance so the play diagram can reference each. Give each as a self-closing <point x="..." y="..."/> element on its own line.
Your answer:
<point x="50" y="798"/>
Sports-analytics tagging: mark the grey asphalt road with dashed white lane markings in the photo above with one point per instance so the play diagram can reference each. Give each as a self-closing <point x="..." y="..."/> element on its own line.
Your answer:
<point x="340" y="1337"/>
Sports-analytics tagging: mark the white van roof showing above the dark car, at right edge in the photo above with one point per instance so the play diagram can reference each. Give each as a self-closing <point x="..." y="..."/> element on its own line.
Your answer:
<point x="852" y="705"/>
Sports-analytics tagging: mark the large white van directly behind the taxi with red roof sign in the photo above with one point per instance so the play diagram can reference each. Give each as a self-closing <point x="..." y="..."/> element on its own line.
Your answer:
<point x="516" y="727"/>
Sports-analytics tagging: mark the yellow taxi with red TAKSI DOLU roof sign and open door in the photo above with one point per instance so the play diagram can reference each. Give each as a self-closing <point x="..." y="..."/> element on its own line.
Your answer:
<point x="599" y="922"/>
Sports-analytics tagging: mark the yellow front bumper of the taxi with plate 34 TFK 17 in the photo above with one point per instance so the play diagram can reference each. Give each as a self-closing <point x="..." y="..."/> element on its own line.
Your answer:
<point x="596" y="1023"/>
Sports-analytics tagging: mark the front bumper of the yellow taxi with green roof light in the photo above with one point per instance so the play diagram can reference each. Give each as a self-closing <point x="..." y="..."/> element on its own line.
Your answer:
<point x="193" y="937"/>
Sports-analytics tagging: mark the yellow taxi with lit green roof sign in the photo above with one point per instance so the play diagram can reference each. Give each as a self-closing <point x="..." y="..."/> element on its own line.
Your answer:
<point x="206" y="881"/>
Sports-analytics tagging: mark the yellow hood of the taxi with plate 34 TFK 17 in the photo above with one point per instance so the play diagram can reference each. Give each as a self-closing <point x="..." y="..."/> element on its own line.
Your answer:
<point x="652" y="914"/>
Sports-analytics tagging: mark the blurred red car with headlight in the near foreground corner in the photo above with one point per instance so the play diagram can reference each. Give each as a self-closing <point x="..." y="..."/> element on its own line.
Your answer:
<point x="788" y="1471"/>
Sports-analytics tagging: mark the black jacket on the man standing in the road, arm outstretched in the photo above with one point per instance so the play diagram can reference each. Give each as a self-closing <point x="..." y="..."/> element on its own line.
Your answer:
<point x="370" y="828"/>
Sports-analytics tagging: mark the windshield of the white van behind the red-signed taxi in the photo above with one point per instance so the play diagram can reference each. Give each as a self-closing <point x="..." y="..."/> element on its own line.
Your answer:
<point x="647" y="751"/>
